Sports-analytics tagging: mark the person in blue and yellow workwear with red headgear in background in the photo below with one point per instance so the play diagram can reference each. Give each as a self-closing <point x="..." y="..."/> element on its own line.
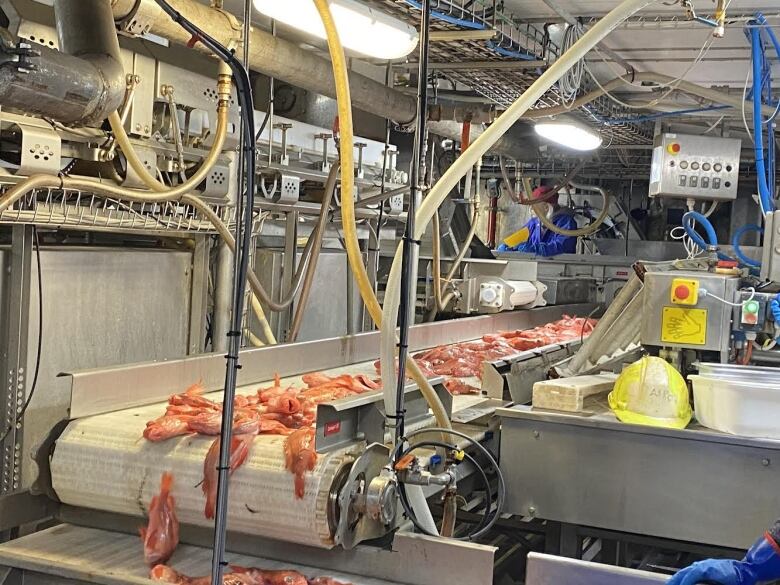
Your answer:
<point x="535" y="238"/>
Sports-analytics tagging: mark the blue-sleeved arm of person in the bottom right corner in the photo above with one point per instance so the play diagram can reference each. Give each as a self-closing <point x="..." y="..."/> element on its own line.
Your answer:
<point x="760" y="565"/>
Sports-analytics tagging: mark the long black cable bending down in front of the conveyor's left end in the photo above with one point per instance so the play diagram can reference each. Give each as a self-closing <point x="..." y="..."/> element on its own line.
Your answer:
<point x="245" y="100"/>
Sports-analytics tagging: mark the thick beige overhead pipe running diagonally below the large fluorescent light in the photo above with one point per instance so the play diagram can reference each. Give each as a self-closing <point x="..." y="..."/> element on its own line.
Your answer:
<point x="278" y="58"/>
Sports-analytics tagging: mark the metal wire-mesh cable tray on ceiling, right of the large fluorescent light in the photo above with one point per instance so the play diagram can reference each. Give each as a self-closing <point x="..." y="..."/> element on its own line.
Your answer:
<point x="514" y="42"/>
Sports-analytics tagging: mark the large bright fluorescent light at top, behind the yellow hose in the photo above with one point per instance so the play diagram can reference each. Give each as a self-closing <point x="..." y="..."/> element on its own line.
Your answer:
<point x="362" y="29"/>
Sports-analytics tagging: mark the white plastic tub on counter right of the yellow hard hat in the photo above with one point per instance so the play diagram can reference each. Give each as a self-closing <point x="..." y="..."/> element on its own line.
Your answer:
<point x="737" y="407"/>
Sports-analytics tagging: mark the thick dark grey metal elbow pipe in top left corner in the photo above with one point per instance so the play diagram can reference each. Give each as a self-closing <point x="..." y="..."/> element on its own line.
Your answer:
<point x="82" y="82"/>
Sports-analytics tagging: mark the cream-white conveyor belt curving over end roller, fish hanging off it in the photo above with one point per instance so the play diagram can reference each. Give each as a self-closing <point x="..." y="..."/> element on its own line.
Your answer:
<point x="103" y="462"/>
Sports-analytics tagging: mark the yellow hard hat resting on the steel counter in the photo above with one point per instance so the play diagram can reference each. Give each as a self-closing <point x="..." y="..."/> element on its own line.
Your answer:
<point x="651" y="392"/>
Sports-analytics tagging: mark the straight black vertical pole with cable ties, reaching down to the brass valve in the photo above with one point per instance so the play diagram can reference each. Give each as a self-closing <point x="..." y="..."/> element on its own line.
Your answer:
<point x="409" y="296"/>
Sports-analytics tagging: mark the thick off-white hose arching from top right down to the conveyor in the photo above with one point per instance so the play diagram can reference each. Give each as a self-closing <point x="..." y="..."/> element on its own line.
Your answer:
<point x="472" y="155"/>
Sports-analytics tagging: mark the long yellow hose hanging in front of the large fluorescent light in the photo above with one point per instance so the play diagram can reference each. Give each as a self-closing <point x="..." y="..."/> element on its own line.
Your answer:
<point x="354" y="254"/>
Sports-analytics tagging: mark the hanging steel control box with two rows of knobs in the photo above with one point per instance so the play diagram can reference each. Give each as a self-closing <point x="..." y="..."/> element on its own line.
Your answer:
<point x="695" y="167"/>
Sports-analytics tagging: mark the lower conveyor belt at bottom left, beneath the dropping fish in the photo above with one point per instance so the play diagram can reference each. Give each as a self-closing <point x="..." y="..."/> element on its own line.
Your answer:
<point x="111" y="558"/>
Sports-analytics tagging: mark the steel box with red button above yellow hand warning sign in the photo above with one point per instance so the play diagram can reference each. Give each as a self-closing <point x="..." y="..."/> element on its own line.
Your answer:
<point x="687" y="310"/>
